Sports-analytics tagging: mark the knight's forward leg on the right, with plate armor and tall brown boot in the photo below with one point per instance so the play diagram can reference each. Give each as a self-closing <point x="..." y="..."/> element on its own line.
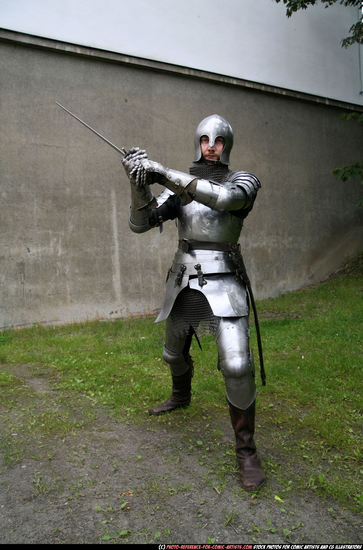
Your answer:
<point x="236" y="364"/>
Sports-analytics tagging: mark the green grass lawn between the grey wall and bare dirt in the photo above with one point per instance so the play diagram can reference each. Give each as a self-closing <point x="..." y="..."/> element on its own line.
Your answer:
<point x="311" y="405"/>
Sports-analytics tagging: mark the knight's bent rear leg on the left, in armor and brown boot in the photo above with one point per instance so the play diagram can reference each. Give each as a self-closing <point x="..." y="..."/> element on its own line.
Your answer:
<point x="176" y="354"/>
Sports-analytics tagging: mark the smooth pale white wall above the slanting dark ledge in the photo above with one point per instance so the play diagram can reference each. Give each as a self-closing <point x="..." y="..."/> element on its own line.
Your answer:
<point x="249" y="39"/>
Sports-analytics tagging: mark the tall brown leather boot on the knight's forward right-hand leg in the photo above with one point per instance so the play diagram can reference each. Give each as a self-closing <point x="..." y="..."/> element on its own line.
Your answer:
<point x="251" y="472"/>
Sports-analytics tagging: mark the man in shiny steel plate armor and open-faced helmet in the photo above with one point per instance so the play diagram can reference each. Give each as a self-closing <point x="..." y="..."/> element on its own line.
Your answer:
<point x="206" y="289"/>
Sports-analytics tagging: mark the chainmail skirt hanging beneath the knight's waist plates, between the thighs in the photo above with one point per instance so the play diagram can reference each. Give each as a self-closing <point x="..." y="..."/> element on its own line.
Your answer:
<point x="191" y="309"/>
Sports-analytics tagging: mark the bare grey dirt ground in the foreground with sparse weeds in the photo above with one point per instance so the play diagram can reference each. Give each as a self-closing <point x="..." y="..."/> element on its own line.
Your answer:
<point x="107" y="481"/>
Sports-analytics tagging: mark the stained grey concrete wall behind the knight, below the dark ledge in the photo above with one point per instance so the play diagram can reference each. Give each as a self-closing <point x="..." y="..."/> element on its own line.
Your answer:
<point x="66" y="251"/>
